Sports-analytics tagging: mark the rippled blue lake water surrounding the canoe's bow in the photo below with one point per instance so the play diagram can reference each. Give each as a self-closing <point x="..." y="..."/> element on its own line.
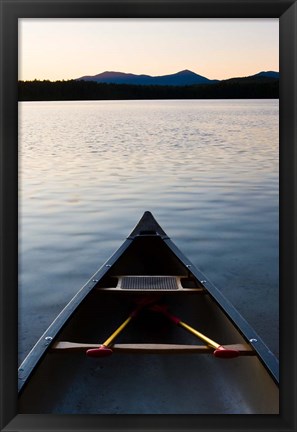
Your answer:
<point x="207" y="169"/>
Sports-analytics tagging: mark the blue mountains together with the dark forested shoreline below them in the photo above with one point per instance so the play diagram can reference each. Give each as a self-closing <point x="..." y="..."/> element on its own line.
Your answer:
<point x="182" y="85"/>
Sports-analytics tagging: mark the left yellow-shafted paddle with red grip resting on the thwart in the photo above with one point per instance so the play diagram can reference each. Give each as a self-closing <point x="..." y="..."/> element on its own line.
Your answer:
<point x="104" y="349"/>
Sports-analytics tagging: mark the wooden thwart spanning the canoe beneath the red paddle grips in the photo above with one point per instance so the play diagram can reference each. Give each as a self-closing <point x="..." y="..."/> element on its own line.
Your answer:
<point x="243" y="349"/>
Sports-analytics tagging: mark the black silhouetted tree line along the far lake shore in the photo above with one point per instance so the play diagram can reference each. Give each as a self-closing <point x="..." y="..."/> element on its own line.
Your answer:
<point x="236" y="88"/>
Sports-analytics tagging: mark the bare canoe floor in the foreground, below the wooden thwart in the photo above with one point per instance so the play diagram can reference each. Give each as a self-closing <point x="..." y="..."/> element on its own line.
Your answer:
<point x="154" y="384"/>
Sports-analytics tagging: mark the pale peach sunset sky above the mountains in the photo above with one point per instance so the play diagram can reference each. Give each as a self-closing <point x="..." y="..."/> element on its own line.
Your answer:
<point x="62" y="49"/>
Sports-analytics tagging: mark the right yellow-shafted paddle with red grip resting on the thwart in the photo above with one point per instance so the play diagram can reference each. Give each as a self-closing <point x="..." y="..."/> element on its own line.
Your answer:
<point x="219" y="350"/>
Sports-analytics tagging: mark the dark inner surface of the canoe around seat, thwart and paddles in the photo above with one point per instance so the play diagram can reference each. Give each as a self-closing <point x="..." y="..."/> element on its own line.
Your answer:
<point x="126" y="383"/>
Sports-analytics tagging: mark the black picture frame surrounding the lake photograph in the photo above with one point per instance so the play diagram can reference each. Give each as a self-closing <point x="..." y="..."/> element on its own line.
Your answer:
<point x="11" y="11"/>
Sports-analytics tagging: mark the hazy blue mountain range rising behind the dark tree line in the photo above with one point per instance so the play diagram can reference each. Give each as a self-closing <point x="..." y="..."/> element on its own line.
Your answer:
<point x="182" y="78"/>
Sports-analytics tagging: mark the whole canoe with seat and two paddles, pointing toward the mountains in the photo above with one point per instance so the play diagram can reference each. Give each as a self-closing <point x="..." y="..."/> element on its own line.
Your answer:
<point x="149" y="334"/>
